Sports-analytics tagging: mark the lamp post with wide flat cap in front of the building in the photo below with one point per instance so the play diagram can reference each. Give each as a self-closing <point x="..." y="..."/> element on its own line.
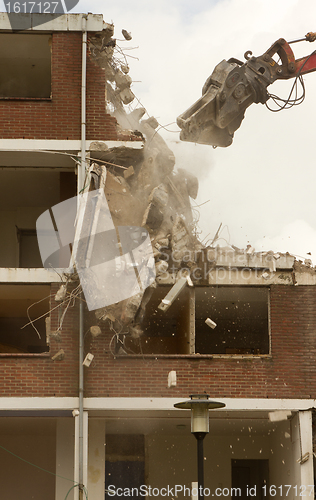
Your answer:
<point x="199" y="404"/>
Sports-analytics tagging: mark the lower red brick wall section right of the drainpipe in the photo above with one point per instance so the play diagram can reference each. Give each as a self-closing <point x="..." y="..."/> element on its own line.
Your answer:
<point x="289" y="373"/>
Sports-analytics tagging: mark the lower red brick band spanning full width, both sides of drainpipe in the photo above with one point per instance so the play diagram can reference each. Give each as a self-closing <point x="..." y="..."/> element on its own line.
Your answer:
<point x="289" y="373"/>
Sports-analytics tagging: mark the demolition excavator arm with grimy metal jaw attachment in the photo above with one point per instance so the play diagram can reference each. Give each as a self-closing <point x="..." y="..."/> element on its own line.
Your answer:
<point x="234" y="86"/>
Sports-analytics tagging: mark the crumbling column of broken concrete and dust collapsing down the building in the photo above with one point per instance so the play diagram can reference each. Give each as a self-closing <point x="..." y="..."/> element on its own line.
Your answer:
<point x="148" y="193"/>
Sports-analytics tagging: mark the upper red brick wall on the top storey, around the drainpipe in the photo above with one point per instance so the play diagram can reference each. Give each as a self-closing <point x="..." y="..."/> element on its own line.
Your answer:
<point x="60" y="118"/>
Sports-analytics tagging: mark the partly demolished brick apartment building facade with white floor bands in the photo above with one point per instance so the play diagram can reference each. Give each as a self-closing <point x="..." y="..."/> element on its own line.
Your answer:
<point x="259" y="360"/>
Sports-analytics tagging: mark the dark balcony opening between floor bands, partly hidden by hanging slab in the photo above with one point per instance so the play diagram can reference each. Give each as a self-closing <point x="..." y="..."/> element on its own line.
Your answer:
<point x="24" y="195"/>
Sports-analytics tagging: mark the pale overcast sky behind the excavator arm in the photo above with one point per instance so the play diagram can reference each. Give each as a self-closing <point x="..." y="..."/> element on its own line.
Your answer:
<point x="262" y="187"/>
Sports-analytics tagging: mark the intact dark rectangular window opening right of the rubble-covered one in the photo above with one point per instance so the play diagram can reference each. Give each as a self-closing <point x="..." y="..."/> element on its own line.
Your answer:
<point x="241" y="317"/>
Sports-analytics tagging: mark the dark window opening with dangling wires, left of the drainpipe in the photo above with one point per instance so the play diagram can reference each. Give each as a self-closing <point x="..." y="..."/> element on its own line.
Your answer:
<point x="16" y="302"/>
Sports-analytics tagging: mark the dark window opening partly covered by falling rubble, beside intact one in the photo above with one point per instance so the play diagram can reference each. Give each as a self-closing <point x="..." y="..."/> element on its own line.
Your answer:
<point x="165" y="332"/>
